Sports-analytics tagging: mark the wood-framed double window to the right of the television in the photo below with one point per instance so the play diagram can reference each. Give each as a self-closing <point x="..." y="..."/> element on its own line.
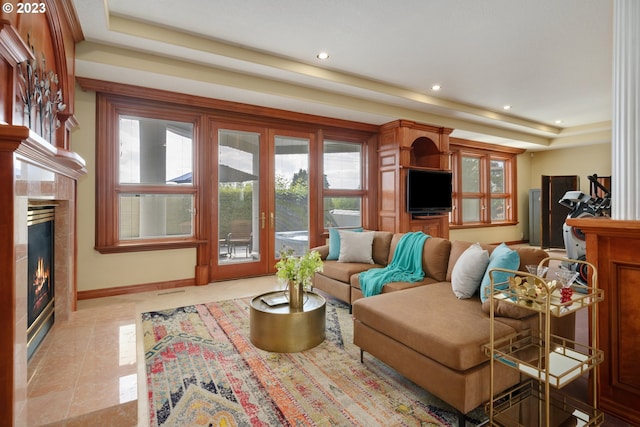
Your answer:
<point x="484" y="184"/>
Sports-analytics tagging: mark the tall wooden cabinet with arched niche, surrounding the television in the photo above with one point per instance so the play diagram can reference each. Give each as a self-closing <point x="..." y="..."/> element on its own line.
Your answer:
<point x="405" y="144"/>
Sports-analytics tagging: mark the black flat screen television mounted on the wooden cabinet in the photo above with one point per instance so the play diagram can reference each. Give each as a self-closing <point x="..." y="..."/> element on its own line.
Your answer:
<point x="428" y="191"/>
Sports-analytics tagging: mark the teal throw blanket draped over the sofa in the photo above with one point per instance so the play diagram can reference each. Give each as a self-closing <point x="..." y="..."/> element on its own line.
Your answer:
<point x="405" y="266"/>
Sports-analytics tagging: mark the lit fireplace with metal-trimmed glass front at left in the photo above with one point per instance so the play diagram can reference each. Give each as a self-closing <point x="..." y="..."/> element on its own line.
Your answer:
<point x="40" y="278"/>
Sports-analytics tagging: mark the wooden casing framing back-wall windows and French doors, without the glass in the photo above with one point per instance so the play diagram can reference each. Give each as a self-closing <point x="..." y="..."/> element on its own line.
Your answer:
<point x="114" y="100"/>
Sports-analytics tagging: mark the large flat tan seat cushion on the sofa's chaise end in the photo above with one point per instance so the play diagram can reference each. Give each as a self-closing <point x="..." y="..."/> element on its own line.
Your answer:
<point x="433" y="322"/>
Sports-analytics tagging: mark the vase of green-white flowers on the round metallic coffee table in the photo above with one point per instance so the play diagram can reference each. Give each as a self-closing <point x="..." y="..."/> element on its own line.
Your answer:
<point x="297" y="272"/>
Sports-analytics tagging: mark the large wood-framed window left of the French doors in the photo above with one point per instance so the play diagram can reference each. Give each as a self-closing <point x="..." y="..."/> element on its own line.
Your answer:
<point x="147" y="197"/>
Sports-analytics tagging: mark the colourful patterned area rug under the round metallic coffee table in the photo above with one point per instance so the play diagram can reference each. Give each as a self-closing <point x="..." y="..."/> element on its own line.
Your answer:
<point x="203" y="370"/>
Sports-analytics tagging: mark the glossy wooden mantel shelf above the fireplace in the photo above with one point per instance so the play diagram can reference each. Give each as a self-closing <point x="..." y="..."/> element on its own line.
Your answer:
<point x="34" y="149"/>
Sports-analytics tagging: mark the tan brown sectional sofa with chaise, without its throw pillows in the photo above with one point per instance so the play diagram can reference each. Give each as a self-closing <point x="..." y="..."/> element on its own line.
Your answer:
<point x="423" y="330"/>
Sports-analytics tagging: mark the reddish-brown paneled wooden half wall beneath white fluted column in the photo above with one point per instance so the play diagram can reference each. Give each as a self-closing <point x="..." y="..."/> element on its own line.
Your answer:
<point x="613" y="246"/>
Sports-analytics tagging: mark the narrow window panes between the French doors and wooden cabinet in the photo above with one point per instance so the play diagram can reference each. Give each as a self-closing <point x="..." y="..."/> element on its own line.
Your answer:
<point x="342" y="187"/>
